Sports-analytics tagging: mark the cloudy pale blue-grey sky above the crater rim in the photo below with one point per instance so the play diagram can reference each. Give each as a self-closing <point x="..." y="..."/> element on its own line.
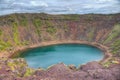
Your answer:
<point x="59" y="6"/>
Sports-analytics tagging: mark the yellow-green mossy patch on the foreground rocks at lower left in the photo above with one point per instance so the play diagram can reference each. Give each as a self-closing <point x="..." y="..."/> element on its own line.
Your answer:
<point x="20" y="67"/>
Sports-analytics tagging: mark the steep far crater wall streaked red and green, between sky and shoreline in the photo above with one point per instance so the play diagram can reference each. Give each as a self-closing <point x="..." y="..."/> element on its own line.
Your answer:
<point x="31" y="29"/>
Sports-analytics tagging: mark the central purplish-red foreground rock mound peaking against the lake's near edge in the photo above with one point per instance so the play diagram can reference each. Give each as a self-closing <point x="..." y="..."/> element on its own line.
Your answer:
<point x="57" y="71"/>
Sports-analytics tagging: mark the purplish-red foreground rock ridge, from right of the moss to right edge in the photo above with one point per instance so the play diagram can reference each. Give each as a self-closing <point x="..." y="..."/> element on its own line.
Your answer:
<point x="62" y="72"/>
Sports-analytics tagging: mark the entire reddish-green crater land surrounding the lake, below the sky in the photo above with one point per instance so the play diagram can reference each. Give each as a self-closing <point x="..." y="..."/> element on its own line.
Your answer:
<point x="24" y="30"/>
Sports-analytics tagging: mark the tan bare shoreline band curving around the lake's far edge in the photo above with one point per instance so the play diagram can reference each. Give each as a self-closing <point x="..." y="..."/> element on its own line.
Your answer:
<point x="105" y="49"/>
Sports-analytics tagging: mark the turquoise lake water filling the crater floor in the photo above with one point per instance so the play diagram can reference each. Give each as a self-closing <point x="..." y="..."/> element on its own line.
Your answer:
<point x="67" y="53"/>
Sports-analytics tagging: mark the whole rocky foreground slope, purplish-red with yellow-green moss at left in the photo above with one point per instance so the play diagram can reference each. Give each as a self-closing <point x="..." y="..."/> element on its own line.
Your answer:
<point x="17" y="69"/>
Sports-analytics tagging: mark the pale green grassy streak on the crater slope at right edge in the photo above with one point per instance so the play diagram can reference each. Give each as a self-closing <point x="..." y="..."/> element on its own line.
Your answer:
<point x="114" y="33"/>
